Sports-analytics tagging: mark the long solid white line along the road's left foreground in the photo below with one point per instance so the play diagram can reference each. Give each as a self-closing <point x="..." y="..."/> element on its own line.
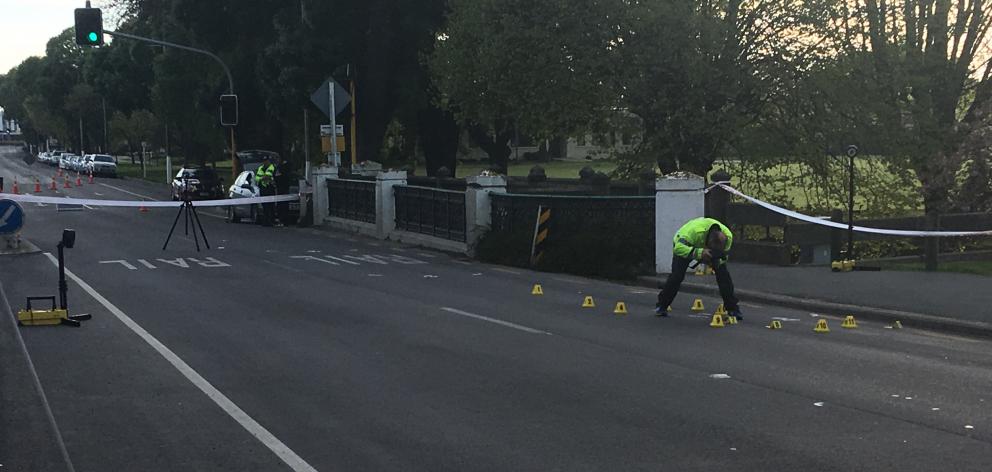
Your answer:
<point x="287" y="455"/>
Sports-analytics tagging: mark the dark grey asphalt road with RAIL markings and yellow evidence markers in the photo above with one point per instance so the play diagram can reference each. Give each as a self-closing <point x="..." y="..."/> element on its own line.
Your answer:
<point x="303" y="349"/>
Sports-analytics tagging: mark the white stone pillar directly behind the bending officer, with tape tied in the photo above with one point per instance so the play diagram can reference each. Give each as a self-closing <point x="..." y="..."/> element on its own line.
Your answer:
<point x="678" y="199"/>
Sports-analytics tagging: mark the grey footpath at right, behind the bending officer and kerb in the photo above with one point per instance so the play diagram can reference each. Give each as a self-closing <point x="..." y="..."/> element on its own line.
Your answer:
<point x="944" y="301"/>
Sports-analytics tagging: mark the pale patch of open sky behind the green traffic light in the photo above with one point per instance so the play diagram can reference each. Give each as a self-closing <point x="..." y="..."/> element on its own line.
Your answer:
<point x="27" y="25"/>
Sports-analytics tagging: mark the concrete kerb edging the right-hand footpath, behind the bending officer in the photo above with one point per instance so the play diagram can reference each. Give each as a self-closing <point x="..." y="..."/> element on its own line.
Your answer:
<point x="909" y="319"/>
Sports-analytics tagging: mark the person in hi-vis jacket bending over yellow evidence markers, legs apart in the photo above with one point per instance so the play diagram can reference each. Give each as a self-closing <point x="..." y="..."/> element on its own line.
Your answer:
<point x="703" y="240"/>
